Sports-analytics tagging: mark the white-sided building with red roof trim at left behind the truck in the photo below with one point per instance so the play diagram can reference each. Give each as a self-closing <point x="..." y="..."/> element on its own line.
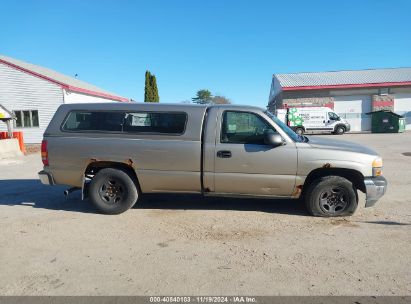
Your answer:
<point x="33" y="93"/>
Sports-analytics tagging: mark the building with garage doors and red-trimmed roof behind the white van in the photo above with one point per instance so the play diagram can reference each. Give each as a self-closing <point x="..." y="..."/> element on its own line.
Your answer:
<point x="351" y="94"/>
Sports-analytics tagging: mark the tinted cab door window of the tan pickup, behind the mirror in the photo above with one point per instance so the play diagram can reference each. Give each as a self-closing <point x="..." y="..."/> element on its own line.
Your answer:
<point x="244" y="128"/>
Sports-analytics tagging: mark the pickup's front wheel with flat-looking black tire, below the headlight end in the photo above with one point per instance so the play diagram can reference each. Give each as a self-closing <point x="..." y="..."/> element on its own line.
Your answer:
<point x="331" y="196"/>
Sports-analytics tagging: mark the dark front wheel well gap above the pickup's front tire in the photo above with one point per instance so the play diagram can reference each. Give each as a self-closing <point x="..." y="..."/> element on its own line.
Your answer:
<point x="353" y="176"/>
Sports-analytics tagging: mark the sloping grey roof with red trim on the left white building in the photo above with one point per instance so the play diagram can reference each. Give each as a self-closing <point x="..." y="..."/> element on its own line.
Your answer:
<point x="66" y="82"/>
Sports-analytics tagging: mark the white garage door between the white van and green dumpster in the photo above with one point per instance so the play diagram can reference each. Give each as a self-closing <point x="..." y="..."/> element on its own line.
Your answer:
<point x="353" y="109"/>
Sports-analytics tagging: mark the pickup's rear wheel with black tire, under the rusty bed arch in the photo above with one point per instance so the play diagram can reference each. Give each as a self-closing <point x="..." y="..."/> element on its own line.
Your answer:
<point x="113" y="191"/>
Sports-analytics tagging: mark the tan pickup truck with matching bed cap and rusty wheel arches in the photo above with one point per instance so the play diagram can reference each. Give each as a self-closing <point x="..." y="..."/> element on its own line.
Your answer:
<point x="115" y="153"/>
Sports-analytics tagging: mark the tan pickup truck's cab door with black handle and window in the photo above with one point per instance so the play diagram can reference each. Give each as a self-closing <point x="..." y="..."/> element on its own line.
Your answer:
<point x="243" y="164"/>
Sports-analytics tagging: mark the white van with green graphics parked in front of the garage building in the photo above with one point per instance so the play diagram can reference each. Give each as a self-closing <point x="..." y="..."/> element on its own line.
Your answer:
<point x="313" y="119"/>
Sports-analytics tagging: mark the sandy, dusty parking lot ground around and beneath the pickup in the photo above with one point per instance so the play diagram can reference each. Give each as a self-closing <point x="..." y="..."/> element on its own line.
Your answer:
<point x="188" y="245"/>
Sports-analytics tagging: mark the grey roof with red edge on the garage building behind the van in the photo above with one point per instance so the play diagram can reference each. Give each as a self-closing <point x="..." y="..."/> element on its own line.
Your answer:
<point x="345" y="79"/>
